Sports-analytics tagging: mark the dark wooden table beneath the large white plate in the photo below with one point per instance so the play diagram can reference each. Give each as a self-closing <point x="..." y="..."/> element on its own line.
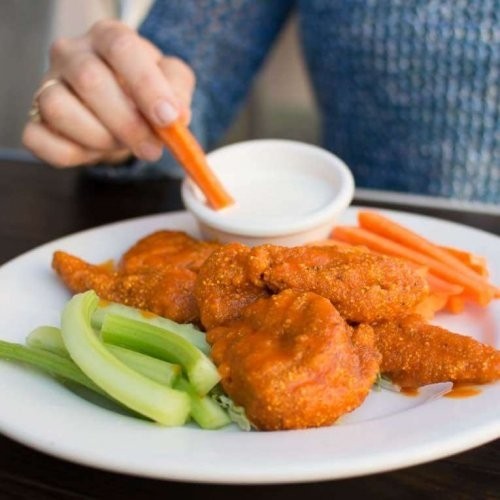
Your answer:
<point x="38" y="204"/>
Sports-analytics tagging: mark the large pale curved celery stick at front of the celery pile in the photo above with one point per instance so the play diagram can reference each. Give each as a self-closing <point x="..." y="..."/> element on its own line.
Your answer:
<point x="162" y="404"/>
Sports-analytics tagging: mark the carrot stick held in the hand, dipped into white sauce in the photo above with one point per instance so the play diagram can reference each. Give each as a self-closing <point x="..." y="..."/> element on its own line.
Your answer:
<point x="187" y="151"/>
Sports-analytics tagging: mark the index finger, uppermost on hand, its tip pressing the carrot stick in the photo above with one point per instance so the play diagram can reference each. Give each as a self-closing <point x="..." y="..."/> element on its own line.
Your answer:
<point x="136" y="62"/>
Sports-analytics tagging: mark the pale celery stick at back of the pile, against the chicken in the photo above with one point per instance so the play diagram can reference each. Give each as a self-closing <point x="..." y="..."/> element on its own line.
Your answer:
<point x="187" y="331"/>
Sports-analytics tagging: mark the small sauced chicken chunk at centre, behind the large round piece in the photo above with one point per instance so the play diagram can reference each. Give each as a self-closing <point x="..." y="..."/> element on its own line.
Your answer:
<point x="225" y="285"/>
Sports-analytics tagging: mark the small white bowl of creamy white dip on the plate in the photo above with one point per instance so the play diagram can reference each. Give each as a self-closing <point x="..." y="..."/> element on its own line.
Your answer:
<point x="287" y="193"/>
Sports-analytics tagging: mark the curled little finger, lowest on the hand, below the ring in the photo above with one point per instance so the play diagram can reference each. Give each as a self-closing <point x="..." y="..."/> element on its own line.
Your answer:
<point x="54" y="149"/>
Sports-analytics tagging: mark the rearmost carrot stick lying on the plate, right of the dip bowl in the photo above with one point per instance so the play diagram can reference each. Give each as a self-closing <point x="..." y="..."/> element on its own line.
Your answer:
<point x="383" y="226"/>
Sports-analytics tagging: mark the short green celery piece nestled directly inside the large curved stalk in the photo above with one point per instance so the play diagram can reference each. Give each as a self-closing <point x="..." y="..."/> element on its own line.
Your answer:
<point x="161" y="371"/>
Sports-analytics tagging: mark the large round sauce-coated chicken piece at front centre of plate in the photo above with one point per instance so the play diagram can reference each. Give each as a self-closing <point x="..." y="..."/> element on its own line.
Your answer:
<point x="292" y="362"/>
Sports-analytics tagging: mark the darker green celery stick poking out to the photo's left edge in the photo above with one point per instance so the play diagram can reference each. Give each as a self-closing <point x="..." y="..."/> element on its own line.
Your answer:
<point x="49" y="362"/>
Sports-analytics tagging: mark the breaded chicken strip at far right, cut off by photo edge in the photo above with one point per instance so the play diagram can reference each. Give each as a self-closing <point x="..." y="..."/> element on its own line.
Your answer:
<point x="415" y="353"/>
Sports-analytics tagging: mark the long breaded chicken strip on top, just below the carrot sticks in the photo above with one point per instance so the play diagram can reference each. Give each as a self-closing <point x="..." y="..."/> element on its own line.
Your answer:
<point x="363" y="286"/>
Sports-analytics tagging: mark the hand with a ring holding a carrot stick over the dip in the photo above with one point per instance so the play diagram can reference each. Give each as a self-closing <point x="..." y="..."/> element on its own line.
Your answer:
<point x="102" y="95"/>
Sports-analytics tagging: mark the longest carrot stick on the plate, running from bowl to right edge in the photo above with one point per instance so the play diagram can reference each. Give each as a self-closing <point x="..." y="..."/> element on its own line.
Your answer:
<point x="477" y="288"/>
